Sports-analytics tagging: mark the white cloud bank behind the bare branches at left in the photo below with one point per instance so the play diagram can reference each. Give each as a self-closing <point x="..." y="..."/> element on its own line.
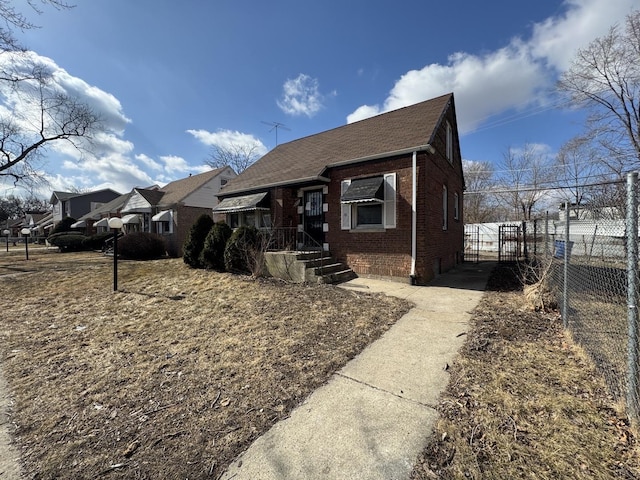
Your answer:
<point x="104" y="161"/>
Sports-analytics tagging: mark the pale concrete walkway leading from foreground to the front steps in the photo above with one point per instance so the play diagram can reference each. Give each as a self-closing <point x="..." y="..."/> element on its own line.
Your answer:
<point x="372" y="419"/>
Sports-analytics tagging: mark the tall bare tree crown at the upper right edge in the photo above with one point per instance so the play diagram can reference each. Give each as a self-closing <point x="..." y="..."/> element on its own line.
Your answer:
<point x="605" y="79"/>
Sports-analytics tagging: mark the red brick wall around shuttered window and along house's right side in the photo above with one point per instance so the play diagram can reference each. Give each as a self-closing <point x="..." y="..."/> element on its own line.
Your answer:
<point x="388" y="252"/>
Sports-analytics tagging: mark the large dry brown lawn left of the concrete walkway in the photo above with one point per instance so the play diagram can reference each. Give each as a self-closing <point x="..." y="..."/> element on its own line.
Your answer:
<point x="172" y="376"/>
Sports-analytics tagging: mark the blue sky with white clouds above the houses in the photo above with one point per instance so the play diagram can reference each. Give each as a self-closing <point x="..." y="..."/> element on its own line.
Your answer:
<point x="171" y="79"/>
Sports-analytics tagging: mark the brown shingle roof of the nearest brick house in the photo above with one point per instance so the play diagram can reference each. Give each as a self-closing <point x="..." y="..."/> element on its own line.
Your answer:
<point x="308" y="157"/>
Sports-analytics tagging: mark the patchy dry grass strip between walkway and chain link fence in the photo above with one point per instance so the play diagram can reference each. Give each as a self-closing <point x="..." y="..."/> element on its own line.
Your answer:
<point x="525" y="402"/>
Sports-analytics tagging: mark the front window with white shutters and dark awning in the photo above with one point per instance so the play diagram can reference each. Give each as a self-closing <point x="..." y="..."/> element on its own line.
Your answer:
<point x="369" y="203"/>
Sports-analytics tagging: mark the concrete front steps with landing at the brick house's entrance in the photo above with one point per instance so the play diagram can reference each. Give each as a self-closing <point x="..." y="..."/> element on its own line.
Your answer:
<point x="311" y="267"/>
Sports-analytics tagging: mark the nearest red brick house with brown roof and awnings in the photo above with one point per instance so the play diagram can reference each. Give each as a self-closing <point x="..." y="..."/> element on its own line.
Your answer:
<point x="384" y="194"/>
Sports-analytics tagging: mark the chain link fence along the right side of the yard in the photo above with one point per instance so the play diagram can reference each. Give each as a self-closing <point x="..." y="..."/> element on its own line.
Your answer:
<point x="592" y="268"/>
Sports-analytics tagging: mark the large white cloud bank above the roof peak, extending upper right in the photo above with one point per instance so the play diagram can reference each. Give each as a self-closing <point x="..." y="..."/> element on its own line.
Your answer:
<point x="515" y="77"/>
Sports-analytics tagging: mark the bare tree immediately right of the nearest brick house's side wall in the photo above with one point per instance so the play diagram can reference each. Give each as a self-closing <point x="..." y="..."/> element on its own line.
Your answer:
<point x="478" y="204"/>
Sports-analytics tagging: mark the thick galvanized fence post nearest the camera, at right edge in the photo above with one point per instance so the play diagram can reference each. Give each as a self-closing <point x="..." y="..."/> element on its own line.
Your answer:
<point x="632" y="295"/>
